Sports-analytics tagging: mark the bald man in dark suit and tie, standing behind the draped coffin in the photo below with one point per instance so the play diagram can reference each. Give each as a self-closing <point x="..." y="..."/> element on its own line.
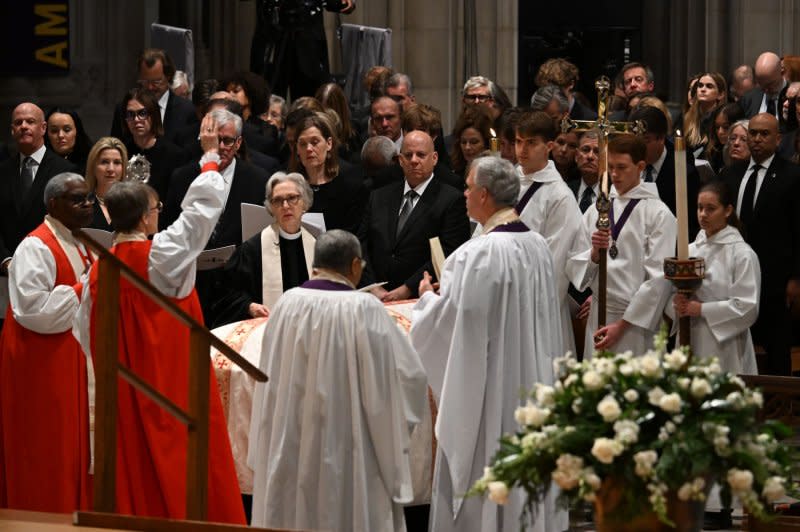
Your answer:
<point x="401" y="218"/>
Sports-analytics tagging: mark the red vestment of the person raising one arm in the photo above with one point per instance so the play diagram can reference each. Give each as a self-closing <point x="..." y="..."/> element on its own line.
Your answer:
<point x="151" y="444"/>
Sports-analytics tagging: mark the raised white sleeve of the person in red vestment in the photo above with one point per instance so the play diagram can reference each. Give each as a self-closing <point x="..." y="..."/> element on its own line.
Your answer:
<point x="172" y="263"/>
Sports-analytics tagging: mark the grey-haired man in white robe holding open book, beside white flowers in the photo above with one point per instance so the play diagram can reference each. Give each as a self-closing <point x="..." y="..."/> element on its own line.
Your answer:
<point x="490" y="333"/>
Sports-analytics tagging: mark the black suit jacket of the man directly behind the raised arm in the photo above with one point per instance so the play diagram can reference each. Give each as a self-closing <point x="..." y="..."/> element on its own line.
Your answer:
<point x="248" y="186"/>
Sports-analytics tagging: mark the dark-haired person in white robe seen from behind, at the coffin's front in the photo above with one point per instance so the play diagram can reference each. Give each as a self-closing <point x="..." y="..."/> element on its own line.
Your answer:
<point x="329" y="433"/>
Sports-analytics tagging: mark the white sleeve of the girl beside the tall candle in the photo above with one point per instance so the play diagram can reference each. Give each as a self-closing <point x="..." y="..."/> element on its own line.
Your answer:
<point x="731" y="316"/>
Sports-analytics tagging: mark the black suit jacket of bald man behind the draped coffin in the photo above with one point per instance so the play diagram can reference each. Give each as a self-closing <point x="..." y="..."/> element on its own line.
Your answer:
<point x="402" y="258"/>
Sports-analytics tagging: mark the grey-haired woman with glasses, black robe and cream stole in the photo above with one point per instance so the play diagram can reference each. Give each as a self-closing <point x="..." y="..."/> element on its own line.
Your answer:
<point x="275" y="259"/>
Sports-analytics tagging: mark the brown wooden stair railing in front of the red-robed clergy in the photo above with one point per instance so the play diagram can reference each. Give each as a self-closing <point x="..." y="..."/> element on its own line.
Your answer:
<point x="107" y="368"/>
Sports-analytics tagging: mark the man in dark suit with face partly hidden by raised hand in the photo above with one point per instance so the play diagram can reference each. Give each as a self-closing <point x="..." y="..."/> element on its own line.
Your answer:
<point x="247" y="184"/>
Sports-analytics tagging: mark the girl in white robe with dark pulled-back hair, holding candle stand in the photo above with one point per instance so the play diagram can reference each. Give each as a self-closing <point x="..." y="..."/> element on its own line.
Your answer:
<point x="726" y="304"/>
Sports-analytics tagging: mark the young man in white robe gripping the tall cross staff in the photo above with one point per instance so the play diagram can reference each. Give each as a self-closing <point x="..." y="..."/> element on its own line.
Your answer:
<point x="642" y="234"/>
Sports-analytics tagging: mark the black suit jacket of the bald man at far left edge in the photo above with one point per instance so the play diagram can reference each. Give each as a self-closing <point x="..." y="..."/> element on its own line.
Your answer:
<point x="19" y="216"/>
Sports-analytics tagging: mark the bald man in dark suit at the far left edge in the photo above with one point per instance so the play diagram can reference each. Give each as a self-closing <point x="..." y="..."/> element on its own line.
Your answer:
<point x="23" y="178"/>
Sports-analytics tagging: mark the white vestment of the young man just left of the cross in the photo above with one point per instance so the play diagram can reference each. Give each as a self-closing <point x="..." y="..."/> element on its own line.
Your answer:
<point x="553" y="213"/>
